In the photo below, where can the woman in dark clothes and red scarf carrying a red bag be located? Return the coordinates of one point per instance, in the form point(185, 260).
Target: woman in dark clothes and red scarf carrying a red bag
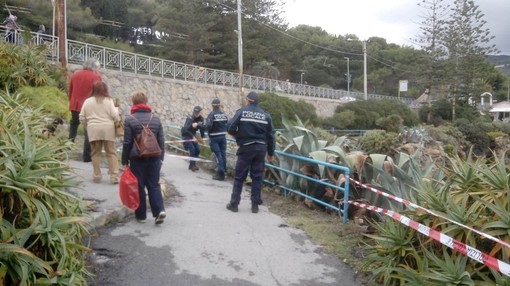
point(146, 169)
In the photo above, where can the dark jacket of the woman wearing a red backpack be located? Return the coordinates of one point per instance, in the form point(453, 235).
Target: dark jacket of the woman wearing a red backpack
point(132, 128)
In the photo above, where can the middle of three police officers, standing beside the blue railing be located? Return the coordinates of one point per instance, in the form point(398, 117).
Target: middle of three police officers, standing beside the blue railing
point(216, 126)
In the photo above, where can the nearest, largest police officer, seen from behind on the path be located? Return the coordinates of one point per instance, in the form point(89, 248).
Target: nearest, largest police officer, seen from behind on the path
point(252, 128)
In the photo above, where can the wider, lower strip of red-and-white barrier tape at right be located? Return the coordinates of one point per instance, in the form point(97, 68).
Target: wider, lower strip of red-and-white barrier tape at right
point(456, 245)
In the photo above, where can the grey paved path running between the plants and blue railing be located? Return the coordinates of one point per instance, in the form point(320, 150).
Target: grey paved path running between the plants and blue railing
point(202, 243)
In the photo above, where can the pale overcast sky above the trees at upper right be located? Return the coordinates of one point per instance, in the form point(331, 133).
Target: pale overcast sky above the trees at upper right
point(397, 21)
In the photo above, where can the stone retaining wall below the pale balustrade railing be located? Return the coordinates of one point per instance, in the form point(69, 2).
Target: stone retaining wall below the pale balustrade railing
point(173, 100)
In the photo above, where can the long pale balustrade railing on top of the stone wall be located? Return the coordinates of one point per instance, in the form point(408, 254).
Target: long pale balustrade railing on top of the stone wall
point(78, 52)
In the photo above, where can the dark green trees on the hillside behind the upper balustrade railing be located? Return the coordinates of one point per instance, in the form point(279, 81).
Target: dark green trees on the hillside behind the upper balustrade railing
point(204, 33)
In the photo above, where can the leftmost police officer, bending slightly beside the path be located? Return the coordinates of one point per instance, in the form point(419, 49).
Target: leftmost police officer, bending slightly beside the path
point(193, 123)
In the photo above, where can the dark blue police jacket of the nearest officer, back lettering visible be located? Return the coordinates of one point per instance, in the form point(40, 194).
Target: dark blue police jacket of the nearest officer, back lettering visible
point(252, 125)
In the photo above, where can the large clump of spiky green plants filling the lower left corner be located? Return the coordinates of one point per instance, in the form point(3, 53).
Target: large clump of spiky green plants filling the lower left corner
point(41, 225)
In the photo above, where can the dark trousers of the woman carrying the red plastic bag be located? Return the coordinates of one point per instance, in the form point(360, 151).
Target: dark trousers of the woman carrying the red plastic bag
point(147, 171)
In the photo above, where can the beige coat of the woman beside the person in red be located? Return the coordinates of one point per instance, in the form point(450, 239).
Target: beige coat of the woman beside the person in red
point(99, 118)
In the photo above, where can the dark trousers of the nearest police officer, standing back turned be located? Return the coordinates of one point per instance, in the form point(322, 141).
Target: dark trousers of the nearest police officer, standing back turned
point(254, 163)
